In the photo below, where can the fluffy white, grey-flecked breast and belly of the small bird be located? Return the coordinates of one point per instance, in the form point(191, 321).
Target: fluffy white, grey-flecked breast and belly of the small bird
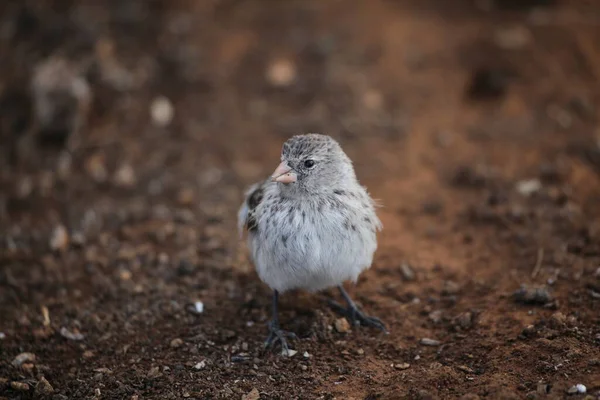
point(313, 244)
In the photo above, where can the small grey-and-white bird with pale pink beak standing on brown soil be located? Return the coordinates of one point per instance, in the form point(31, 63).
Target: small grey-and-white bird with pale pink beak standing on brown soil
point(311, 226)
